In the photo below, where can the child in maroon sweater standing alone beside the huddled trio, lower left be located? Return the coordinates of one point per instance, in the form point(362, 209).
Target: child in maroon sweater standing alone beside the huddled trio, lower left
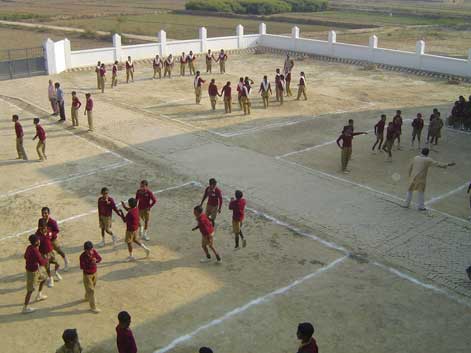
point(88, 261)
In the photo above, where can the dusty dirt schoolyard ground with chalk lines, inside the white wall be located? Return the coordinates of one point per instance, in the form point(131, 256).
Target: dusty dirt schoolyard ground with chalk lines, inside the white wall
point(324, 247)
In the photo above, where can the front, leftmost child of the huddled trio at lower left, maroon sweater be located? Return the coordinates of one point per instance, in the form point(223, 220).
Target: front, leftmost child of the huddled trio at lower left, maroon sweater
point(34, 272)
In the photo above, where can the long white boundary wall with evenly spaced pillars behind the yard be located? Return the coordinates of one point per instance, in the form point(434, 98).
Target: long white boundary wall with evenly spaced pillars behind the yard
point(60, 58)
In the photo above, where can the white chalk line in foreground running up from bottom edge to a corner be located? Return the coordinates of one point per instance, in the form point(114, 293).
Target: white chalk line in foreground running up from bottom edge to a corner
point(260, 300)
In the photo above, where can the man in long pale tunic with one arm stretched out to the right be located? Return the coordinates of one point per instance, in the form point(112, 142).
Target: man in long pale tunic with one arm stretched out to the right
point(418, 177)
